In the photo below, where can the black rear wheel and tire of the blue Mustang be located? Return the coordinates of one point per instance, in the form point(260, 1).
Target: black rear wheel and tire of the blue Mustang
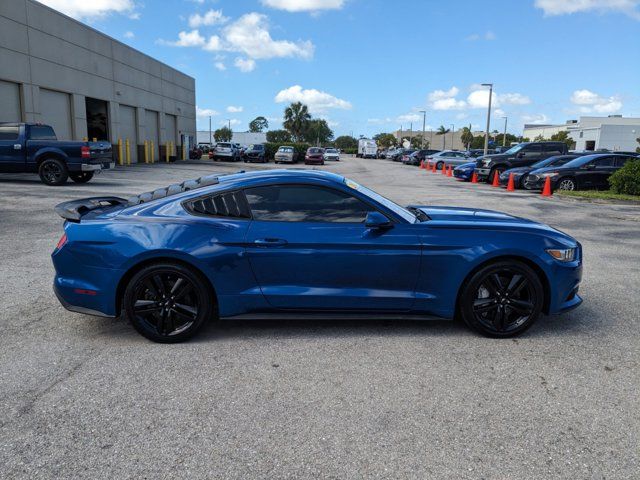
point(167, 302)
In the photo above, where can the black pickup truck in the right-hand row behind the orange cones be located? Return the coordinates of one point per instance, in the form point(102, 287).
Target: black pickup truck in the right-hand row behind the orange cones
point(521, 155)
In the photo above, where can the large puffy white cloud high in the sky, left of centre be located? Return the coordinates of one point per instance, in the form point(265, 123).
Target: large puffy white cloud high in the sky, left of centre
point(250, 35)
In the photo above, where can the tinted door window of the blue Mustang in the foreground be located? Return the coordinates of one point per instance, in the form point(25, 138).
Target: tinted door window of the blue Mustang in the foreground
point(304, 203)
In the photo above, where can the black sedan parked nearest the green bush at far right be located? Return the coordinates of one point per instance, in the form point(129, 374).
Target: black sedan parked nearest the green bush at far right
point(582, 173)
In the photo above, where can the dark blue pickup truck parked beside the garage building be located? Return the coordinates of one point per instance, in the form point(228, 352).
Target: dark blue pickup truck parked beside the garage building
point(34, 148)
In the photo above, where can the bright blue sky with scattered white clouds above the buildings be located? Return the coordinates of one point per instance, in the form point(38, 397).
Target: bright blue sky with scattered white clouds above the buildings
point(369, 66)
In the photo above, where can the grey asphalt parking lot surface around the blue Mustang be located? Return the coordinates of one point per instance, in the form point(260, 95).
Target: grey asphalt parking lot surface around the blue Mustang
point(87, 397)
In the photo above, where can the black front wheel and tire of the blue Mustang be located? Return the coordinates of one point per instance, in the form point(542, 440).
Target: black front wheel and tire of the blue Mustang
point(502, 299)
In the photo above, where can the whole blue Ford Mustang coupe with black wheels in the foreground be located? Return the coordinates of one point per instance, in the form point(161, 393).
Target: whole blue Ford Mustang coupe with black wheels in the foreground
point(286, 242)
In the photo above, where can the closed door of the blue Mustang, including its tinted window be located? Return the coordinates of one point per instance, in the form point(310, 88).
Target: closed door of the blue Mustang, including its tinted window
point(309, 249)
